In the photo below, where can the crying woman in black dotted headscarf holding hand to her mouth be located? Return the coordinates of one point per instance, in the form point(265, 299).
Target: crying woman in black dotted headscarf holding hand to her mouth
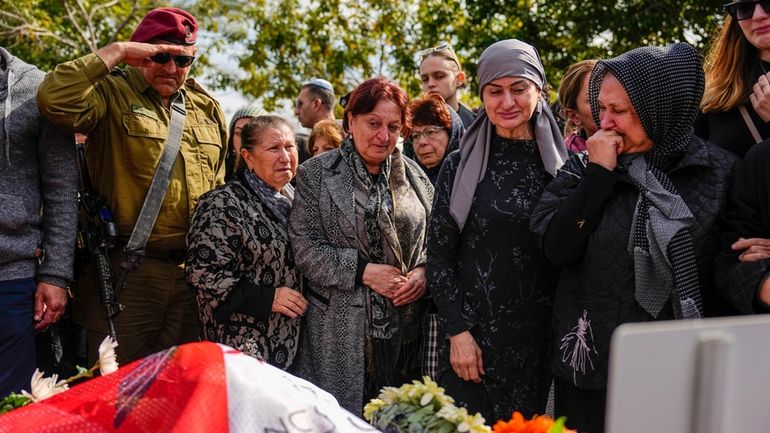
point(632, 222)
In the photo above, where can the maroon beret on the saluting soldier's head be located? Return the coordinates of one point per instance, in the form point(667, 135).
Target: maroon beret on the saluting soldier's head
point(169, 24)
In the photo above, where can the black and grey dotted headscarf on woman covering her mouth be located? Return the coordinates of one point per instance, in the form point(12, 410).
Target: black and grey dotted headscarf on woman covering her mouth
point(665, 86)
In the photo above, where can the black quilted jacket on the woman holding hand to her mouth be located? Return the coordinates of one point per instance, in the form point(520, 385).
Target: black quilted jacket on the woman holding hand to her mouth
point(584, 219)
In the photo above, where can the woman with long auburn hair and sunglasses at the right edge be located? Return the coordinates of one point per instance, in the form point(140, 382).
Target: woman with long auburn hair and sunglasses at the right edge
point(736, 103)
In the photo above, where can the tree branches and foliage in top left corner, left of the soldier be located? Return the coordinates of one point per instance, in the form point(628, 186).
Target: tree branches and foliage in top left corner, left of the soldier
point(47, 32)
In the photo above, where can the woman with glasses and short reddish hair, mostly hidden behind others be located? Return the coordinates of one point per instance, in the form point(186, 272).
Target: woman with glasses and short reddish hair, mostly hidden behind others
point(436, 132)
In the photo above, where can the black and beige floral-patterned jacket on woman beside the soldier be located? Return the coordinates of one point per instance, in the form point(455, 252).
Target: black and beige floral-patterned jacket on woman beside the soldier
point(236, 244)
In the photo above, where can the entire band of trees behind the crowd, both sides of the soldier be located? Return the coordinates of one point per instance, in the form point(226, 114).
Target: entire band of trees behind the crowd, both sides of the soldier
point(266, 48)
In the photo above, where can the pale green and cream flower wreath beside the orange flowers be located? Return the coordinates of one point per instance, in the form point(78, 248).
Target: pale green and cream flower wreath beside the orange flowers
point(420, 407)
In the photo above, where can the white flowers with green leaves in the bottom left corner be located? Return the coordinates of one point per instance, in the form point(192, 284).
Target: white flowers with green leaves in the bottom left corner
point(42, 387)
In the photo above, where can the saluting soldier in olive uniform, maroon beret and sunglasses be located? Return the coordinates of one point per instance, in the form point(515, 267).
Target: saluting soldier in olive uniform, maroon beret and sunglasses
point(127, 115)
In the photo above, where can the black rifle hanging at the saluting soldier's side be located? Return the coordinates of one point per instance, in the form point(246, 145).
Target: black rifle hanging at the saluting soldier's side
point(97, 235)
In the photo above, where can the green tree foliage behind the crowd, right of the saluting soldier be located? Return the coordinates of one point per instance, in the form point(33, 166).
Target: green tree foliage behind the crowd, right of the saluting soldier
point(281, 42)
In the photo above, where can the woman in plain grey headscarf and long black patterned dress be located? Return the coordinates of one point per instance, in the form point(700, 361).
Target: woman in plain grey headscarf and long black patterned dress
point(492, 287)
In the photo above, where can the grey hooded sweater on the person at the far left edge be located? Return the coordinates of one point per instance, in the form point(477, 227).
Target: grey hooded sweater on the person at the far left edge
point(38, 184)
